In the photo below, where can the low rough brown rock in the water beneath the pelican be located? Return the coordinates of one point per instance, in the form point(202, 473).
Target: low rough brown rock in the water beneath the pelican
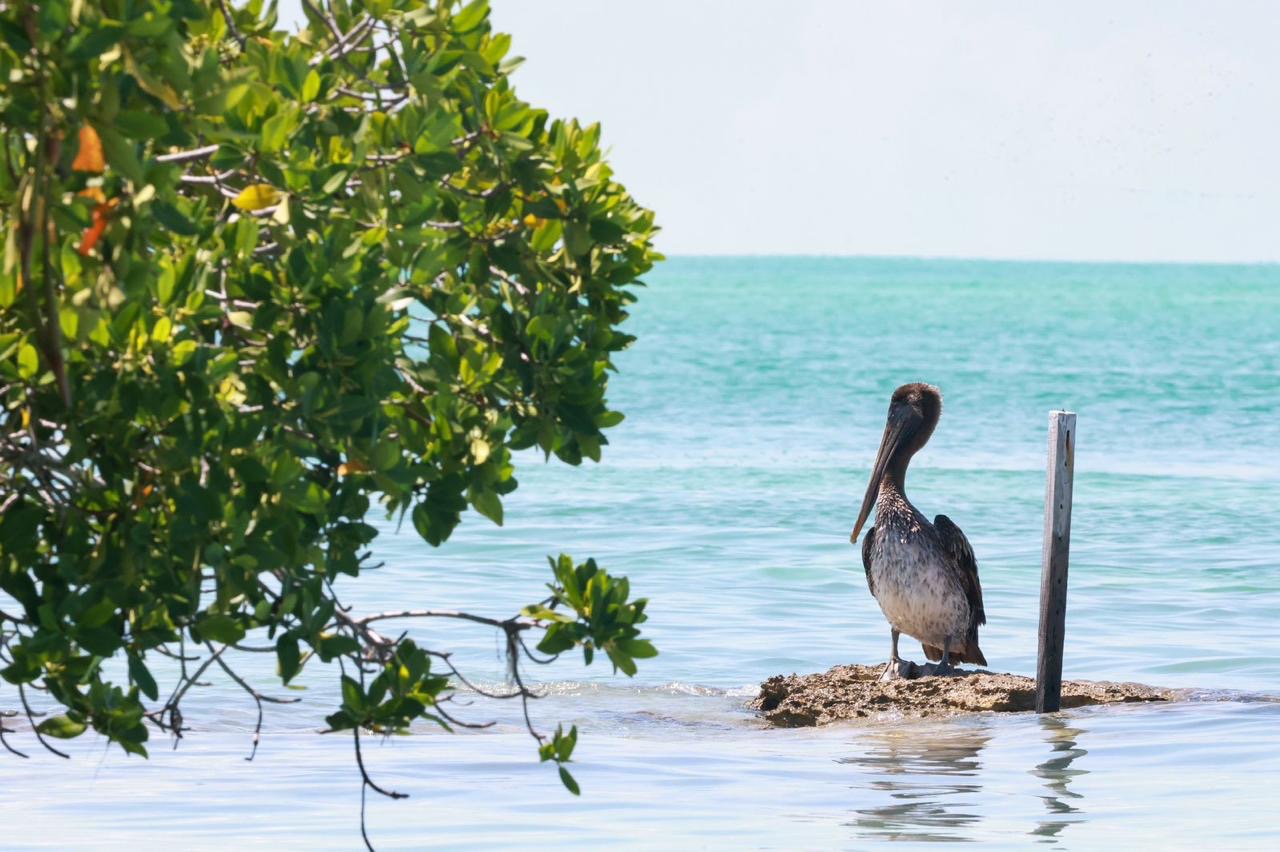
point(857, 693)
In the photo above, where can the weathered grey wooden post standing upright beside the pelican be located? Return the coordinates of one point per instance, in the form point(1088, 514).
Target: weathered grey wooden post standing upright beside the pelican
point(1058, 540)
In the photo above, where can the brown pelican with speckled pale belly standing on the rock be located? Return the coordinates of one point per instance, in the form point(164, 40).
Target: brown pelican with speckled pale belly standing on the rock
point(924, 575)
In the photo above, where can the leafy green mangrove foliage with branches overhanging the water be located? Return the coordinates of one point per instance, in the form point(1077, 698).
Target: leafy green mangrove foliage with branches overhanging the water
point(257, 286)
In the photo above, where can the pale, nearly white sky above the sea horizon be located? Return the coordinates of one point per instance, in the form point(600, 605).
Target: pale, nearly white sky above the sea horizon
point(1082, 131)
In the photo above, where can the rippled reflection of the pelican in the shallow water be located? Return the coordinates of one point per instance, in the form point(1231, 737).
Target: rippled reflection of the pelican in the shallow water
point(931, 777)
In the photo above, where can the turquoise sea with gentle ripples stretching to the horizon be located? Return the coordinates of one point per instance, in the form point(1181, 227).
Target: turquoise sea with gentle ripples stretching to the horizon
point(756, 398)
